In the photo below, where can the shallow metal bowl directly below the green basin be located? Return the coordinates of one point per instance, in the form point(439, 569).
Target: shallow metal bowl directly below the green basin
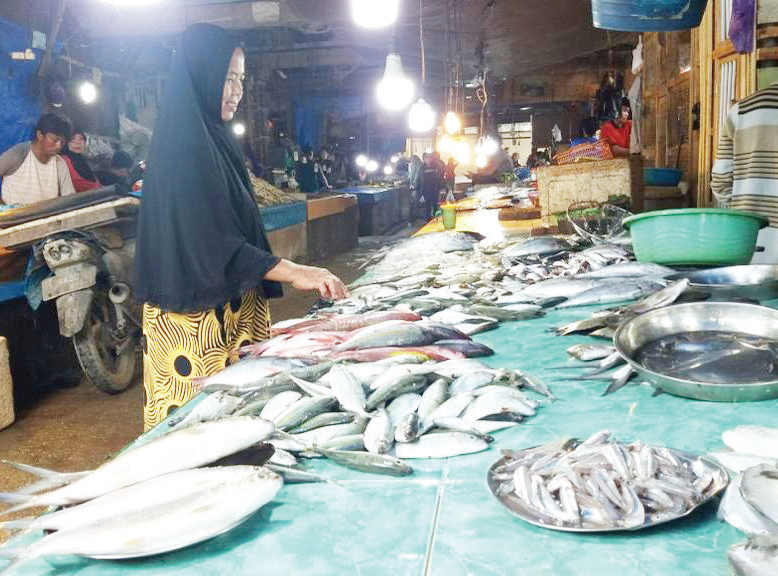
point(756, 281)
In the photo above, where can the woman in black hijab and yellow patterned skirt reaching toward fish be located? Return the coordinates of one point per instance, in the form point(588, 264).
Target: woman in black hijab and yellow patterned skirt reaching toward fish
point(204, 268)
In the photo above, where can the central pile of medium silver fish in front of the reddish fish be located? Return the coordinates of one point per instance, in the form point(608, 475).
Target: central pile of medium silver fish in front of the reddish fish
point(369, 415)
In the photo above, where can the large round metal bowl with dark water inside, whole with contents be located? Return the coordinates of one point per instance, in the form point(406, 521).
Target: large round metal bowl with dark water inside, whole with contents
point(715, 351)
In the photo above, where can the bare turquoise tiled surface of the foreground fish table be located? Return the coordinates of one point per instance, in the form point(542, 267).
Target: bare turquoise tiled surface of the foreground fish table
point(443, 521)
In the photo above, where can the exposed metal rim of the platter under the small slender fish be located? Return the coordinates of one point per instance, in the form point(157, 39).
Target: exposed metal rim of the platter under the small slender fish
point(527, 512)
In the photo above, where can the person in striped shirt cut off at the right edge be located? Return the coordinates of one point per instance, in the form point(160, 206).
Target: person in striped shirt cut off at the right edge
point(745, 174)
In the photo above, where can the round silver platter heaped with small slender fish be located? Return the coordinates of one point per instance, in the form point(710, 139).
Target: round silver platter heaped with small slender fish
point(602, 486)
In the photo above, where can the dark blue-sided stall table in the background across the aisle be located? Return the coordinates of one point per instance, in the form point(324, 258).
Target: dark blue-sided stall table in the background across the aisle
point(381, 209)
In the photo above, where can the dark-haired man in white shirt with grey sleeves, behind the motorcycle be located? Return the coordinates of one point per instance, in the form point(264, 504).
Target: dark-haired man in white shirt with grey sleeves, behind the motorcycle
point(34, 171)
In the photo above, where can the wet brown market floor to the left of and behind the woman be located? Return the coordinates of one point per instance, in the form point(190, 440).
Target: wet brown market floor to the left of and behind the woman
point(77, 428)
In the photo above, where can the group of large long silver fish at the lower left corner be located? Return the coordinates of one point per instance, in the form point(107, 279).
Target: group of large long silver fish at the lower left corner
point(136, 504)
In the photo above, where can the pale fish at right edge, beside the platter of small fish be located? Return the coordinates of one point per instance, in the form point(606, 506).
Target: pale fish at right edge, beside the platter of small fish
point(751, 501)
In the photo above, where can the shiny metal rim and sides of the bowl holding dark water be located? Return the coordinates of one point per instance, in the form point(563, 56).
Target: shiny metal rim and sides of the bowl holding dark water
point(739, 318)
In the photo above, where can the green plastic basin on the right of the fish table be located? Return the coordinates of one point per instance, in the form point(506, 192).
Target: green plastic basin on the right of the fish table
point(695, 236)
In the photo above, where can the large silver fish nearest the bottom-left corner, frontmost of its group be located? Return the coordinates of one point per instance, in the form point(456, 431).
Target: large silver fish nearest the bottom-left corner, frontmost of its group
point(139, 529)
